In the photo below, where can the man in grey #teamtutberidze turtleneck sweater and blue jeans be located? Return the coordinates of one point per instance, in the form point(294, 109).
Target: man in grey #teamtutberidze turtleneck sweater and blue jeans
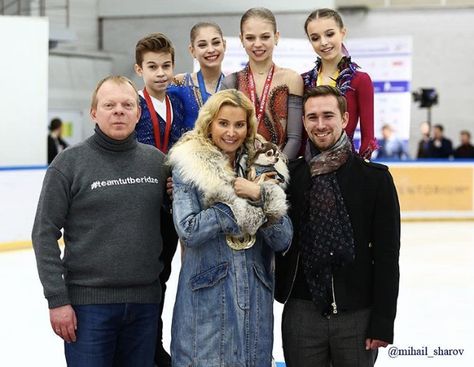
point(105, 194)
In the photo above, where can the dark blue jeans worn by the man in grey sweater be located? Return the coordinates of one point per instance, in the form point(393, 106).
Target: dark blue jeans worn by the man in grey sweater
point(118, 335)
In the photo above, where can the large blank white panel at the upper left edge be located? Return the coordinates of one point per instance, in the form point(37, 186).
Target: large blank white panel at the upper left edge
point(23, 90)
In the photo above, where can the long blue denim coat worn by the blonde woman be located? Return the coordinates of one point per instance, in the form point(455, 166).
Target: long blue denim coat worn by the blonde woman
point(223, 314)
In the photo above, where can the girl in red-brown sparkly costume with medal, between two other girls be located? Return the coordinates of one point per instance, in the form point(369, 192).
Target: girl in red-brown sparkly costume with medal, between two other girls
point(275, 91)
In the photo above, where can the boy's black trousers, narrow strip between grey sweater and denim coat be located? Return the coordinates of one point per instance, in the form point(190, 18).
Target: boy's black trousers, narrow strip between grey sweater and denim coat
point(170, 242)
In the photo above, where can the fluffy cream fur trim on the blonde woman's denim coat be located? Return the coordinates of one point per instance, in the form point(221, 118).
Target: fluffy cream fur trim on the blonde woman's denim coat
point(201, 164)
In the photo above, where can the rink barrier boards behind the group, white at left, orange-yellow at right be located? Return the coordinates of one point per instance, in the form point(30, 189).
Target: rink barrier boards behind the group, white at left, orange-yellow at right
point(428, 191)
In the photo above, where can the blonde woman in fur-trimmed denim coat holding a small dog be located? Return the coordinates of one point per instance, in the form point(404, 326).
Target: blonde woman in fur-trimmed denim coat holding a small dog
point(230, 228)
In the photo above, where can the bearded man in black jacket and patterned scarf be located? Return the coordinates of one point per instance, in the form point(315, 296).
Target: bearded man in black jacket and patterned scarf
point(339, 280)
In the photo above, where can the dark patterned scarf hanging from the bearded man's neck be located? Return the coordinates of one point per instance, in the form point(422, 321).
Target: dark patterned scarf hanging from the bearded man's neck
point(327, 238)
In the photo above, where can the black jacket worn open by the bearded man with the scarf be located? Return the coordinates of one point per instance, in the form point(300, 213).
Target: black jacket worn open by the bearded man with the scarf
point(372, 279)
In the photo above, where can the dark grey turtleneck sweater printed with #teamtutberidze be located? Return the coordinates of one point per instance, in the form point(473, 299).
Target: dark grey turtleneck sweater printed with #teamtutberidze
point(106, 195)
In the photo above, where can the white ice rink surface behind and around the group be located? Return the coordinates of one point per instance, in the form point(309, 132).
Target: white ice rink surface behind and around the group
point(435, 308)
